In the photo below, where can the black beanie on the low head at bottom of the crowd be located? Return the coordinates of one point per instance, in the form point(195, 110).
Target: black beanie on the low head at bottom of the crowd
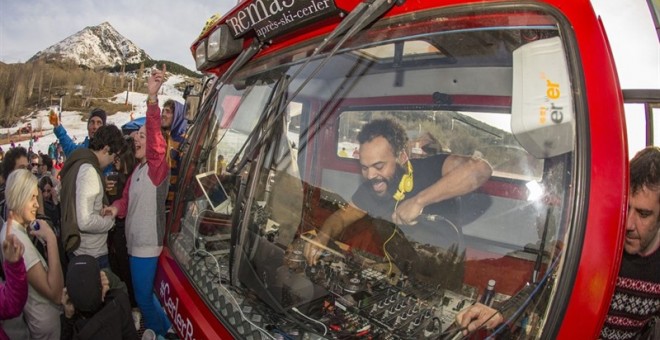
point(83, 283)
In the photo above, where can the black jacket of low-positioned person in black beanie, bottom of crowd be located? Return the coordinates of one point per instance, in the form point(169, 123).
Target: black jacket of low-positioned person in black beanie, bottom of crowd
point(113, 321)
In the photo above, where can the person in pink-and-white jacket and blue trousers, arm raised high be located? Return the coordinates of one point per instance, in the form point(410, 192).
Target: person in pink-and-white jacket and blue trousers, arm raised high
point(143, 205)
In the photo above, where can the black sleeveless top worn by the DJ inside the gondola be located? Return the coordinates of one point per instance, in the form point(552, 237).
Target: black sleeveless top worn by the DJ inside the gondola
point(426, 172)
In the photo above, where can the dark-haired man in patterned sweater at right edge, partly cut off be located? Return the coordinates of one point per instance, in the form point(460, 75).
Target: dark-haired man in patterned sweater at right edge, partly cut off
point(637, 295)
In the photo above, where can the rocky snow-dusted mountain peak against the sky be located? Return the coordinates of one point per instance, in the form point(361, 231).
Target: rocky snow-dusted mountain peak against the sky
point(95, 47)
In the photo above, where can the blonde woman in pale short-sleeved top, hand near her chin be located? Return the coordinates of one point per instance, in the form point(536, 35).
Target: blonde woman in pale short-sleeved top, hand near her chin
point(45, 279)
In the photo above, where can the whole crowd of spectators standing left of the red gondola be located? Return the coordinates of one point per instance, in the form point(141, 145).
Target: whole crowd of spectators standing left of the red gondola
point(79, 260)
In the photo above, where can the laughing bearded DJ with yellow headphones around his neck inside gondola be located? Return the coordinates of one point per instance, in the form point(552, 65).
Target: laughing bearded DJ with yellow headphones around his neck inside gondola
point(398, 189)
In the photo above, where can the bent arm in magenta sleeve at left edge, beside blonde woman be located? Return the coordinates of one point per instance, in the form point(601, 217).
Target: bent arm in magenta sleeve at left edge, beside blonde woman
point(13, 294)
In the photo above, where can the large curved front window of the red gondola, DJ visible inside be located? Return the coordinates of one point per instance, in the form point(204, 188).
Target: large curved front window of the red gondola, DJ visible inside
point(296, 208)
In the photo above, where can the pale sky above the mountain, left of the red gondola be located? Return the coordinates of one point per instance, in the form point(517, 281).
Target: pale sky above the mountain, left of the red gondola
point(165, 29)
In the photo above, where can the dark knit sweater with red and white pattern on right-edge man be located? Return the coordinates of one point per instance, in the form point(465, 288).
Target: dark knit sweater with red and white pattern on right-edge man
point(636, 297)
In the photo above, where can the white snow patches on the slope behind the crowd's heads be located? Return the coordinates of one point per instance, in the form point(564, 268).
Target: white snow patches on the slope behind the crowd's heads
point(71, 120)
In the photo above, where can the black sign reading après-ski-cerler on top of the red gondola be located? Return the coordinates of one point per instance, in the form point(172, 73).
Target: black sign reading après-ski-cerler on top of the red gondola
point(270, 18)
